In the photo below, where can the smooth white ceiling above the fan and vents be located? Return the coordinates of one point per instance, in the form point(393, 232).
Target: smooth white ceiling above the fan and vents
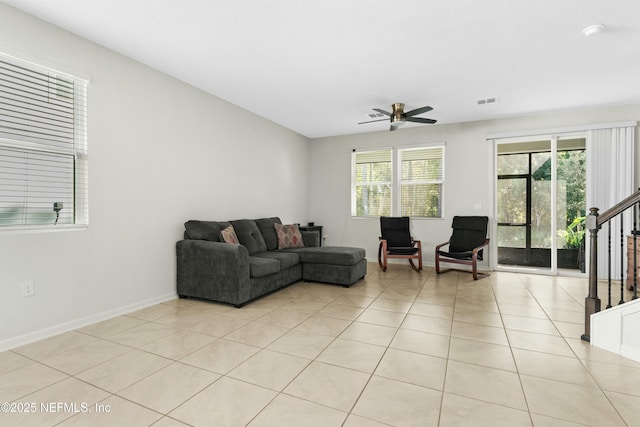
point(318, 67)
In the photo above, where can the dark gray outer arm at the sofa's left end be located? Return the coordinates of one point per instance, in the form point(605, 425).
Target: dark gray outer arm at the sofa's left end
point(213, 270)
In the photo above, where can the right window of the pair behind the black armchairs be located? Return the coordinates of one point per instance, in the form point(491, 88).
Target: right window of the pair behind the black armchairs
point(421, 182)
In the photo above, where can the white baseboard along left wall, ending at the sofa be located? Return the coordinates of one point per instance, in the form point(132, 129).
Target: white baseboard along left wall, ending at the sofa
point(41, 334)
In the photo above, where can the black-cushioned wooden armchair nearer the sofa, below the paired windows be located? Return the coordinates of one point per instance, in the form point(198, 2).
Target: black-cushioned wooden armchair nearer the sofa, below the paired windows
point(396, 242)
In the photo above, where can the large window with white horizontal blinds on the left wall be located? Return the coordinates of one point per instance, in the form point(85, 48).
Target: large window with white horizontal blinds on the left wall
point(43, 146)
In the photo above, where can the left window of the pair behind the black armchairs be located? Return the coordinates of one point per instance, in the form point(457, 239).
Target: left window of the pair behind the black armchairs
point(372, 183)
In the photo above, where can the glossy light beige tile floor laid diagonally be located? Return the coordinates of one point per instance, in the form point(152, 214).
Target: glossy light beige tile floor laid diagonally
point(398, 348)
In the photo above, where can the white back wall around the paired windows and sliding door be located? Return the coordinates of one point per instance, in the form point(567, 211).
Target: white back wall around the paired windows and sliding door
point(468, 173)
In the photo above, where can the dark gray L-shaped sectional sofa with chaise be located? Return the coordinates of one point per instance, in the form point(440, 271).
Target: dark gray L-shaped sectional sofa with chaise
point(211, 269)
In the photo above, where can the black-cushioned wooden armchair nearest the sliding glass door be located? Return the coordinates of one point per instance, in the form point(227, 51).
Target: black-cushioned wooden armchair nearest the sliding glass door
point(465, 244)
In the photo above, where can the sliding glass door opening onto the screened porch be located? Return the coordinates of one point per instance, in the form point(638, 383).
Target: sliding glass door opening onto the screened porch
point(540, 203)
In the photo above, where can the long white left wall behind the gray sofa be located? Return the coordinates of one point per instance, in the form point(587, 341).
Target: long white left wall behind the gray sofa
point(160, 152)
